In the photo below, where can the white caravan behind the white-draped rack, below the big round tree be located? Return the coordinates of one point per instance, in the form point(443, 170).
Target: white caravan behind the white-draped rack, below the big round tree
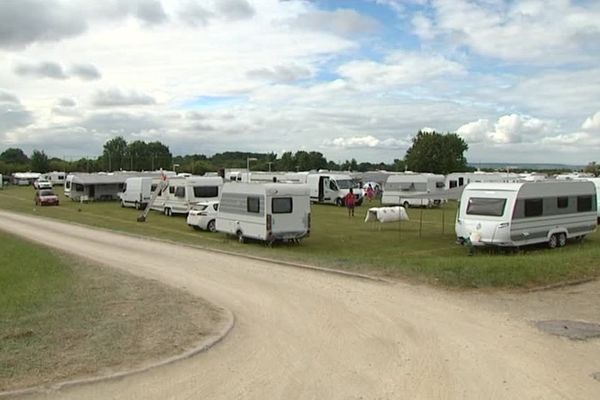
point(414, 190)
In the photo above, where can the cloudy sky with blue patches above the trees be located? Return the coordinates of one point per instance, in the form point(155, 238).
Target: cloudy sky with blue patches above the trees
point(518, 80)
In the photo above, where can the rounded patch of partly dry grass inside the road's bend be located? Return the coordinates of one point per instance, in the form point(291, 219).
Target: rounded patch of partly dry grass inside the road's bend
point(61, 318)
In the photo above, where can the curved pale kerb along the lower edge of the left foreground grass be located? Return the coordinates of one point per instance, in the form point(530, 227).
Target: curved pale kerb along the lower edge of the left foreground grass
point(204, 345)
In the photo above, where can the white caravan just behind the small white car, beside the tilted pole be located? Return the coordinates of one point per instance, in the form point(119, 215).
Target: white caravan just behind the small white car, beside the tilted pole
point(183, 193)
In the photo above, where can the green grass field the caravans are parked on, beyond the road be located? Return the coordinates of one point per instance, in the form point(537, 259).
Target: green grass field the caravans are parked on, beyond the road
point(422, 249)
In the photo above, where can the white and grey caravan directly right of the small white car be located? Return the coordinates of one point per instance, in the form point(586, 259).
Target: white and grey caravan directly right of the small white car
point(264, 211)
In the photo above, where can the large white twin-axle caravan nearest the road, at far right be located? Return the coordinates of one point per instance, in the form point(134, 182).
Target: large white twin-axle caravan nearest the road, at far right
point(518, 214)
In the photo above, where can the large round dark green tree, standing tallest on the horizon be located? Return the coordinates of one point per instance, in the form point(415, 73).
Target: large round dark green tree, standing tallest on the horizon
point(436, 153)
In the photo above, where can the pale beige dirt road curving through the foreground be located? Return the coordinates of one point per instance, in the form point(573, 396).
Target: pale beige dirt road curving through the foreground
point(302, 334)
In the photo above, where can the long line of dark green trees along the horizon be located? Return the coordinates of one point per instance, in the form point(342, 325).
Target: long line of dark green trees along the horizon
point(430, 152)
